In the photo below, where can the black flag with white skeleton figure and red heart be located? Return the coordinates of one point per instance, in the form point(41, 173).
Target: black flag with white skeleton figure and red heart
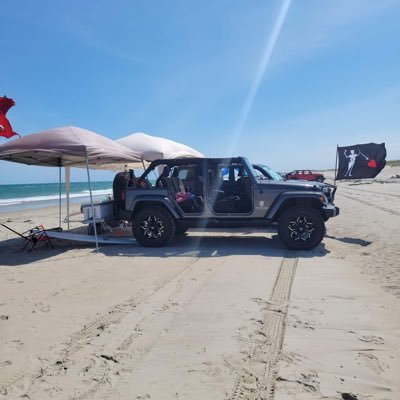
point(361, 161)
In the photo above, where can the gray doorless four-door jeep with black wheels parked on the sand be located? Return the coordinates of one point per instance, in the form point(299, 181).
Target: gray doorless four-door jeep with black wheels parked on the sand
point(172, 196)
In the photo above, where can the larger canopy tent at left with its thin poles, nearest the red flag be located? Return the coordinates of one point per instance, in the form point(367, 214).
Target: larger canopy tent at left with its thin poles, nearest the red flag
point(68, 146)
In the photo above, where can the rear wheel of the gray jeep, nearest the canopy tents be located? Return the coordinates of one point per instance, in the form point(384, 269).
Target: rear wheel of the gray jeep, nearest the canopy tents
point(153, 226)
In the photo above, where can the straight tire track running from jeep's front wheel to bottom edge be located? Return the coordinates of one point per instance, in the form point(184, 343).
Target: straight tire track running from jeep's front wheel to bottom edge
point(256, 379)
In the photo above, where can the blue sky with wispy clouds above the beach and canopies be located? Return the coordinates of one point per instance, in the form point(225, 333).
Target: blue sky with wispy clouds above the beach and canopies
point(281, 82)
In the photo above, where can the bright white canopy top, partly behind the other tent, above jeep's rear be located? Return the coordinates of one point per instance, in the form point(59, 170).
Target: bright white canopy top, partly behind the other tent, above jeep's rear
point(151, 148)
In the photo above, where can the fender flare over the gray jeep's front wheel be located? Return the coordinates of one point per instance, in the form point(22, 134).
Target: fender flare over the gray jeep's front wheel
point(288, 199)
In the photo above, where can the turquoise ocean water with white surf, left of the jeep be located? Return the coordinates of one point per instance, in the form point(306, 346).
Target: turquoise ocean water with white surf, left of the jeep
point(36, 195)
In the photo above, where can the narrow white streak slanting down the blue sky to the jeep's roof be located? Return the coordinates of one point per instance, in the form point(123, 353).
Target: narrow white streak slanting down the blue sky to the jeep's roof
point(269, 48)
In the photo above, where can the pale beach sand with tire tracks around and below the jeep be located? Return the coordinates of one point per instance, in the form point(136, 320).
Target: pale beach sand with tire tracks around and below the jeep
point(215, 315)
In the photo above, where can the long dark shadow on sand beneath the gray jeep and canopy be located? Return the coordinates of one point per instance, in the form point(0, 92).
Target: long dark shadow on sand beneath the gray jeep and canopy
point(193, 245)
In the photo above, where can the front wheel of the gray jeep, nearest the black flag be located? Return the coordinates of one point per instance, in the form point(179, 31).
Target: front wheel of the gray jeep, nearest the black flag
point(301, 228)
